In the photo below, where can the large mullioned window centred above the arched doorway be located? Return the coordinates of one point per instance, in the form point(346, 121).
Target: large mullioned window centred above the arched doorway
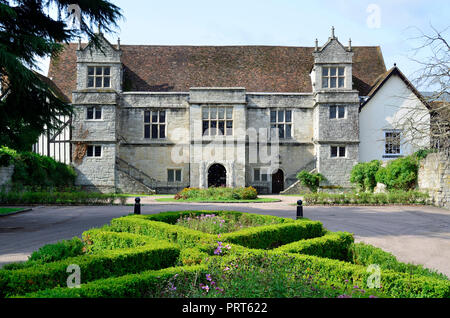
point(209, 132)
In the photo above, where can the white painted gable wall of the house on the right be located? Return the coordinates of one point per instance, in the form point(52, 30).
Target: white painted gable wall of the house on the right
point(394, 106)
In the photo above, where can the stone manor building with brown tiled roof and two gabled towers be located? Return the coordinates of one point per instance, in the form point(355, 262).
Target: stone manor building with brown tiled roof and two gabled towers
point(167, 117)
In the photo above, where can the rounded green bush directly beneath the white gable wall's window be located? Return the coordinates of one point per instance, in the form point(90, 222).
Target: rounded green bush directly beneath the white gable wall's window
point(399, 174)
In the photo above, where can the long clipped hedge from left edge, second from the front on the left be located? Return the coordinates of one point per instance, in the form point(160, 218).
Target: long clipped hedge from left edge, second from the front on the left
point(111, 263)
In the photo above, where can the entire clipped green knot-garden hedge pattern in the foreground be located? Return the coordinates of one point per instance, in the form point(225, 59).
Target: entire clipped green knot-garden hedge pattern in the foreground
point(151, 256)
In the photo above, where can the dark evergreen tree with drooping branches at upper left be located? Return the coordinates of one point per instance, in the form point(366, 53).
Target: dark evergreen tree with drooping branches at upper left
point(28, 32)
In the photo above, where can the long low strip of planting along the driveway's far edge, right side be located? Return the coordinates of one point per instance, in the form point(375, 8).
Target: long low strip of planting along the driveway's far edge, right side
point(394, 197)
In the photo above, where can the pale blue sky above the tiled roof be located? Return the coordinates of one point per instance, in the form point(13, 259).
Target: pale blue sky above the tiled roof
point(391, 24)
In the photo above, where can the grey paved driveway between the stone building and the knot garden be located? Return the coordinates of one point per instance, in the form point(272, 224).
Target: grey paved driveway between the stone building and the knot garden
point(420, 235)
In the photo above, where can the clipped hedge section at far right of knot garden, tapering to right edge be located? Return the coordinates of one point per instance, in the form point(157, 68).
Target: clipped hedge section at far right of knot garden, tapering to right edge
point(364, 254)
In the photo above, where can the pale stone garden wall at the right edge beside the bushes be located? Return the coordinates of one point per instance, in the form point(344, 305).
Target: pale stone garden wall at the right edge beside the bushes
point(434, 177)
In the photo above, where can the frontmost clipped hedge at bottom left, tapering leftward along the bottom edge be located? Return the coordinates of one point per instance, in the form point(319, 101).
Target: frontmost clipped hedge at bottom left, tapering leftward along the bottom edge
point(145, 284)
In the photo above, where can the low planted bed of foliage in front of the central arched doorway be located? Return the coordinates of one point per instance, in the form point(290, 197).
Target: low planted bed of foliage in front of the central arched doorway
point(217, 194)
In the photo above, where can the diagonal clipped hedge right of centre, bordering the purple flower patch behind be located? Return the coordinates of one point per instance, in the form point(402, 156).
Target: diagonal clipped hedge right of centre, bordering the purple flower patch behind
point(272, 236)
